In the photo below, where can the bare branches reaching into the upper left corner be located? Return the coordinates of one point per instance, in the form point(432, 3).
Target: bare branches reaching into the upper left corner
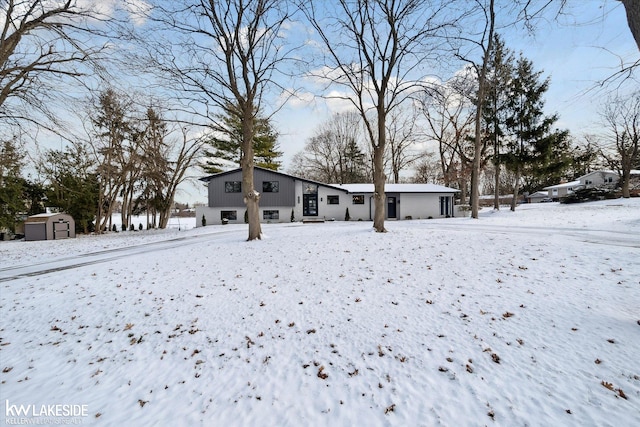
point(43, 44)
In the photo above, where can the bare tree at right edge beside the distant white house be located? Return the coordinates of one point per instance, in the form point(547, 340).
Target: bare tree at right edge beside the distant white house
point(622, 120)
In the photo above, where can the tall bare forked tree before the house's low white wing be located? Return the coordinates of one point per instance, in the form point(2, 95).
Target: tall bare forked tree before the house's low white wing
point(374, 49)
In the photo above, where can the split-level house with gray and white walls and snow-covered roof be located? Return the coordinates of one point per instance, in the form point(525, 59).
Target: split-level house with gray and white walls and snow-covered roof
point(282, 194)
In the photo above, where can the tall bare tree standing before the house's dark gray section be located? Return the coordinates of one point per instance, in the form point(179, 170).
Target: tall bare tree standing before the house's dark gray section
point(223, 56)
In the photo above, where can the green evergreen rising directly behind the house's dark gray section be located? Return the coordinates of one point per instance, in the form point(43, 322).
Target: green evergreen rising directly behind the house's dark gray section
point(224, 146)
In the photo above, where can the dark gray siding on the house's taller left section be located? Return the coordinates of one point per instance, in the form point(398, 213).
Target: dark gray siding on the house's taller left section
point(284, 197)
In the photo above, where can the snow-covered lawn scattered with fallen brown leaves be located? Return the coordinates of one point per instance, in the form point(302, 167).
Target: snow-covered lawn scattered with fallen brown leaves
point(526, 318)
